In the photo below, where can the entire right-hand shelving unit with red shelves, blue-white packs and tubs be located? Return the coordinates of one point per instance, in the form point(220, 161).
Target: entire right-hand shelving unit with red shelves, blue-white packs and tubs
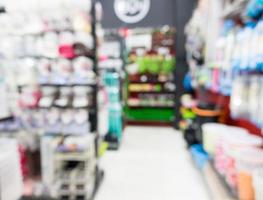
point(224, 72)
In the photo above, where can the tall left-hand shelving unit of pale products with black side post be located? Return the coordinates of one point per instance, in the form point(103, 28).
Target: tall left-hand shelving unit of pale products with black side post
point(54, 151)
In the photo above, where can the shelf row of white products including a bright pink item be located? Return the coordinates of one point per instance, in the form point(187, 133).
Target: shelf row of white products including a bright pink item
point(51, 45)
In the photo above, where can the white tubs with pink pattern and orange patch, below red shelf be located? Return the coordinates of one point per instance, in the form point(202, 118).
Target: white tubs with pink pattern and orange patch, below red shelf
point(237, 156)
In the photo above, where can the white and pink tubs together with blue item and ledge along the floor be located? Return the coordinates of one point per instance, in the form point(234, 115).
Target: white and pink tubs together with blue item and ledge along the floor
point(232, 156)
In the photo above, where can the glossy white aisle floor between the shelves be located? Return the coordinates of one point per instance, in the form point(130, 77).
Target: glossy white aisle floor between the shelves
point(152, 164)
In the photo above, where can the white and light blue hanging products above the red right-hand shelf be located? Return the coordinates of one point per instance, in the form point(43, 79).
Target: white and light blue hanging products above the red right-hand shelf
point(237, 50)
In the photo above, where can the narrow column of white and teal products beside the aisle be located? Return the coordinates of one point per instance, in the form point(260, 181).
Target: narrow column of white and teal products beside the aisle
point(111, 69)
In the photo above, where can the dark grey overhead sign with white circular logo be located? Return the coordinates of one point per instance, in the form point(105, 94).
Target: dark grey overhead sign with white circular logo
point(161, 12)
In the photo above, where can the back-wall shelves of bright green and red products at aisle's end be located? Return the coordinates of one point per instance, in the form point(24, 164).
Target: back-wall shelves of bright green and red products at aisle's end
point(150, 79)
